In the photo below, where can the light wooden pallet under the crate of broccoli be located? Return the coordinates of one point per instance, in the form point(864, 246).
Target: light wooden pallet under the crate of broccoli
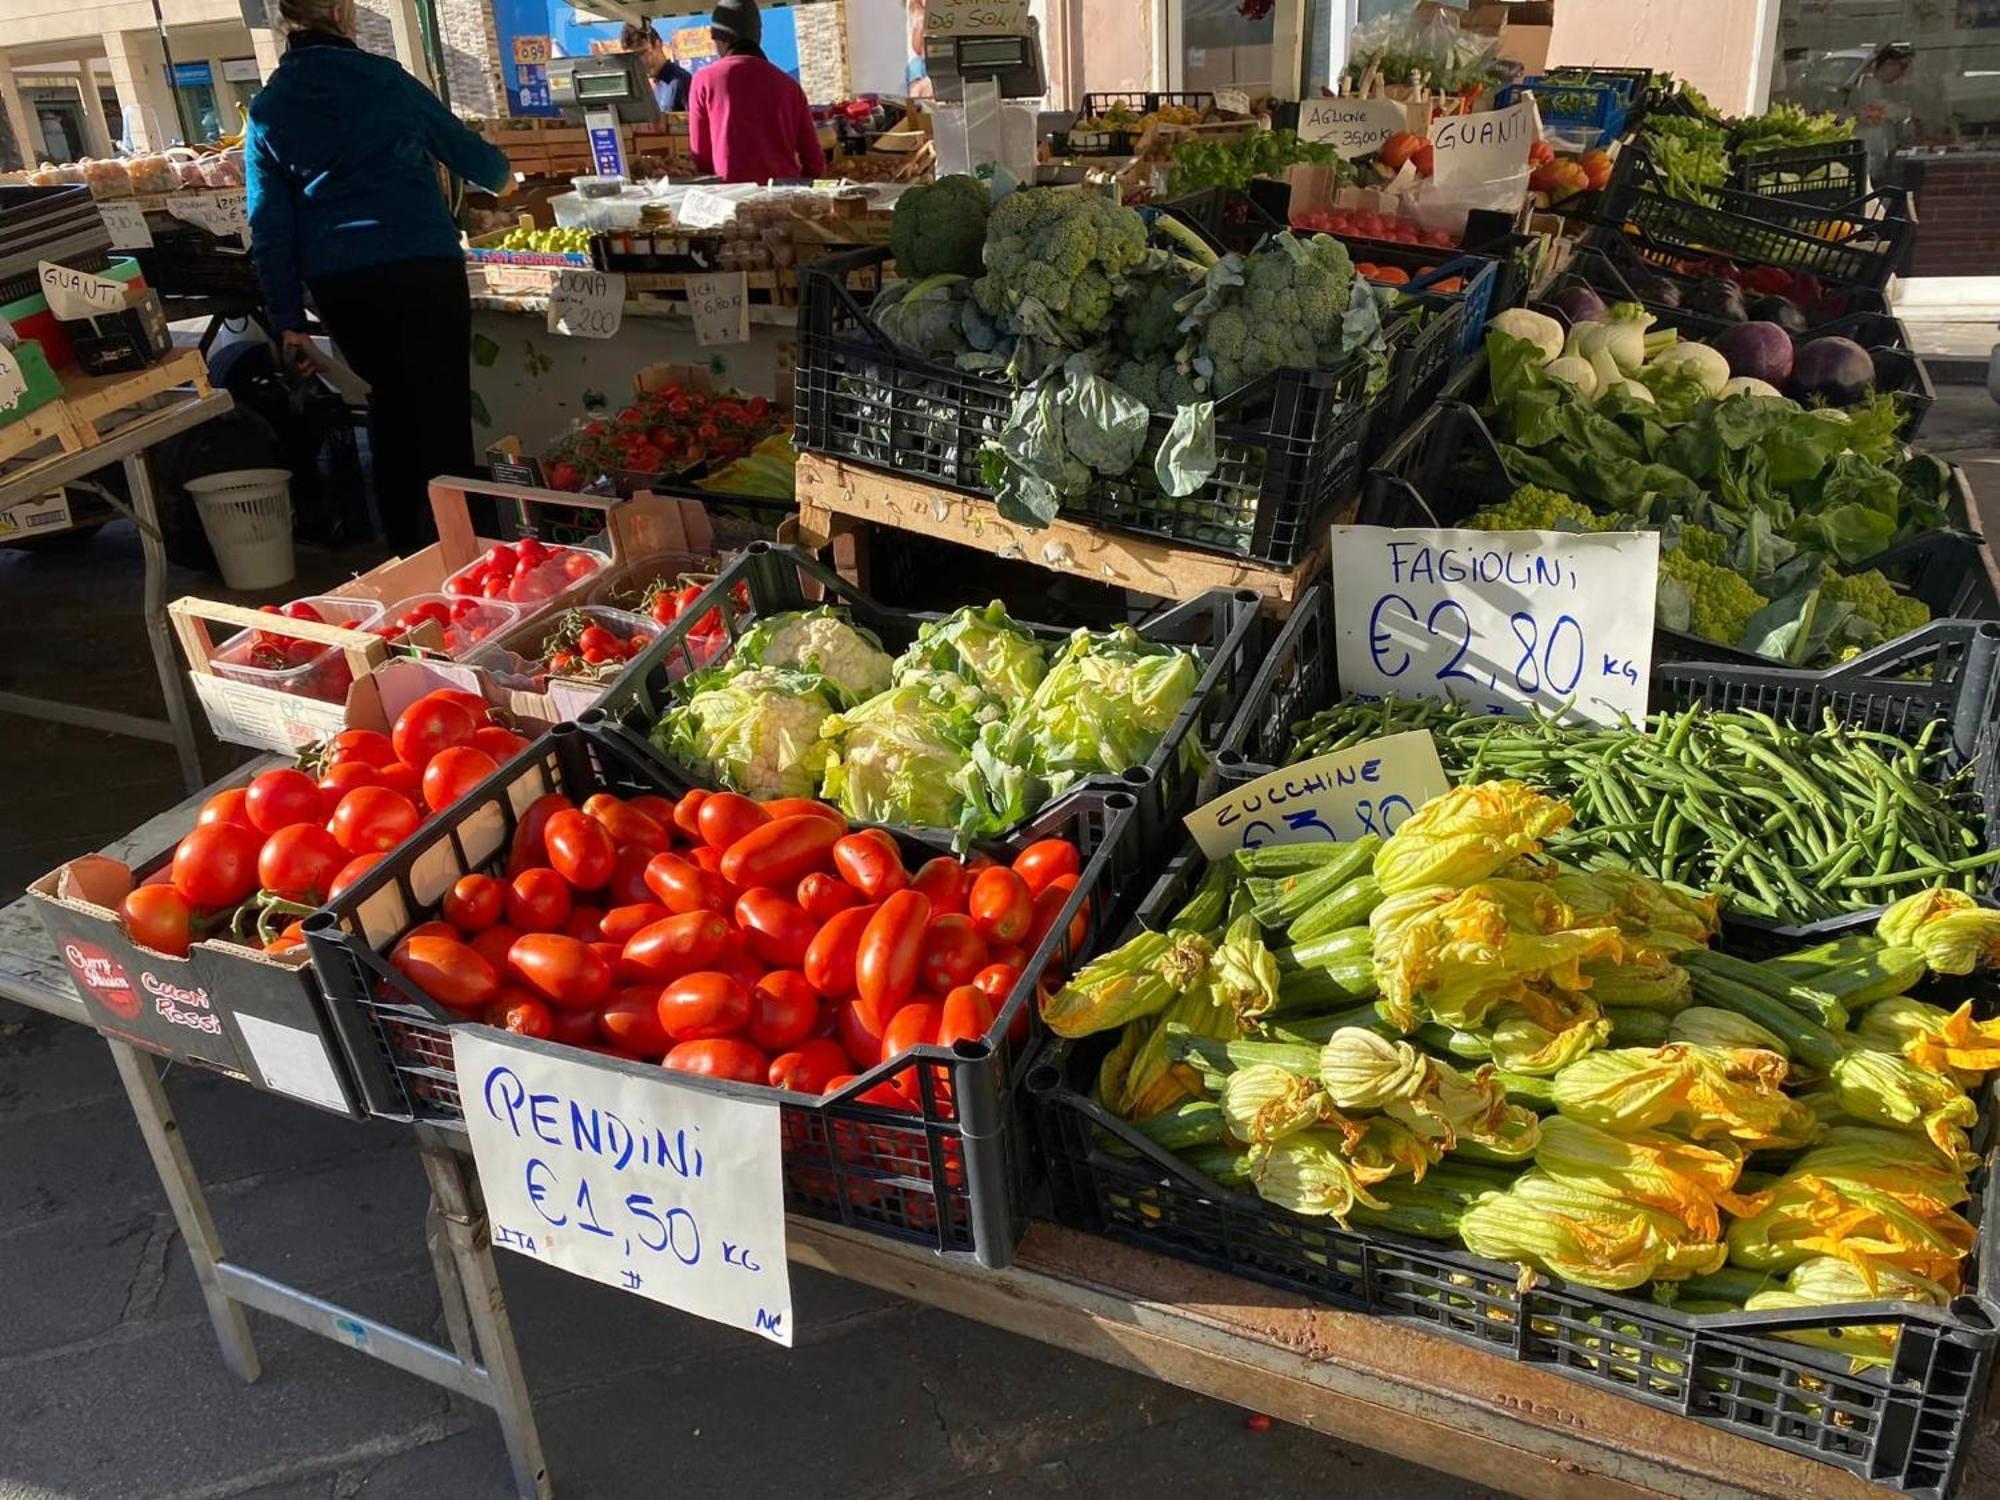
point(837, 501)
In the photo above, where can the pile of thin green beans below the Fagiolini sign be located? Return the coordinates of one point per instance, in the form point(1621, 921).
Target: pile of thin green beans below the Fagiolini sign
point(1785, 825)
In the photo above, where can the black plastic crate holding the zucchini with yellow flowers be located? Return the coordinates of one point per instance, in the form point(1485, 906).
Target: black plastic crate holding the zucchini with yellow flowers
point(1909, 1429)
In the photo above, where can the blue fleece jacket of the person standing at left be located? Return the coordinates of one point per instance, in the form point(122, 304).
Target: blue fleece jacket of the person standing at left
point(339, 165)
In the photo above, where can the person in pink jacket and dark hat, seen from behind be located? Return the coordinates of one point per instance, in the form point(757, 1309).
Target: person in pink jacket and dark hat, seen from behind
point(747, 119)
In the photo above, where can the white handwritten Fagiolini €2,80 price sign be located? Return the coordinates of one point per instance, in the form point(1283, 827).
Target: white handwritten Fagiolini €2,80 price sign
point(1499, 621)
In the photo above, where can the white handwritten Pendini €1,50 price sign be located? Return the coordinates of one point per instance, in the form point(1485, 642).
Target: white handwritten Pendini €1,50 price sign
point(621, 1175)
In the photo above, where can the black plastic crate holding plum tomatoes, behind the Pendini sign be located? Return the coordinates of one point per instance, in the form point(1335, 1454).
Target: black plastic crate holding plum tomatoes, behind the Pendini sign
point(955, 1177)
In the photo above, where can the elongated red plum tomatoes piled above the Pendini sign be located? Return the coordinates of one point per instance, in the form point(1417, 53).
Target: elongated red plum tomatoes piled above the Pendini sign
point(723, 937)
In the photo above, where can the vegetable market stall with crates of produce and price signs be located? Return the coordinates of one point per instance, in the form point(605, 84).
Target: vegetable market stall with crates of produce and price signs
point(1479, 937)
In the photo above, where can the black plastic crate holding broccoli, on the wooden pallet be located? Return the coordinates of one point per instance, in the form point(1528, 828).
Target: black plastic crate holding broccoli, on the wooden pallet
point(1289, 445)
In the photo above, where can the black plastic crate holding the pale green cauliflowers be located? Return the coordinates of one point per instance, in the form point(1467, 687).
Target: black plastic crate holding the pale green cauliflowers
point(1223, 625)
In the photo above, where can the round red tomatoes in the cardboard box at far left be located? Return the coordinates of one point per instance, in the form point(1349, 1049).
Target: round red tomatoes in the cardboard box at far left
point(287, 843)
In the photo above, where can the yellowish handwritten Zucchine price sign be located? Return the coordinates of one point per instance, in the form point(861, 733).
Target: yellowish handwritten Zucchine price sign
point(1367, 789)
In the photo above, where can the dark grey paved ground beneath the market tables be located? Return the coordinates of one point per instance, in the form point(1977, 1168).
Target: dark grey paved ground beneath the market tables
point(109, 1375)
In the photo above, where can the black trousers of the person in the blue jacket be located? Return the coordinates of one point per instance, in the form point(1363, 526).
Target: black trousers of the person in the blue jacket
point(407, 329)
